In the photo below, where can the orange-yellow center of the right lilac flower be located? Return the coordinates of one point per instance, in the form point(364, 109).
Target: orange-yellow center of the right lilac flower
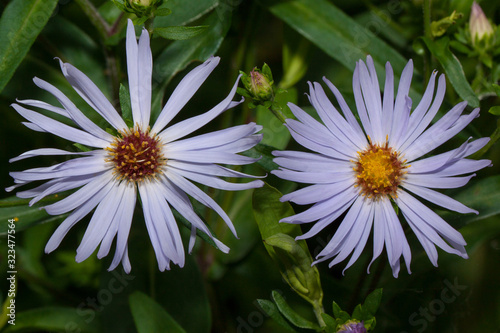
point(379, 170)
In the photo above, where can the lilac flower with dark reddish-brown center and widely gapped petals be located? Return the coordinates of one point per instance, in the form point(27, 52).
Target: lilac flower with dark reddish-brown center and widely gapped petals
point(157, 164)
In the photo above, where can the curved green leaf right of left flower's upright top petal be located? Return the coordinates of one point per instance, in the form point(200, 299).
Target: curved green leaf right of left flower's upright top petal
point(180, 53)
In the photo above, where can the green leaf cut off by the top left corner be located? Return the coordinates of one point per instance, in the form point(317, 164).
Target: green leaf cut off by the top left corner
point(20, 24)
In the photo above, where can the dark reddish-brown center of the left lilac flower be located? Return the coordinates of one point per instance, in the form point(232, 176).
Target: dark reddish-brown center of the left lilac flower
point(136, 155)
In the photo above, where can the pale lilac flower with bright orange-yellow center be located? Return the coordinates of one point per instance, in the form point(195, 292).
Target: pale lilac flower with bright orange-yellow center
point(366, 170)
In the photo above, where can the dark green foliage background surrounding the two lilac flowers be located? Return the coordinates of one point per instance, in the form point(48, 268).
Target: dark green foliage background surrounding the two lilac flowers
point(301, 40)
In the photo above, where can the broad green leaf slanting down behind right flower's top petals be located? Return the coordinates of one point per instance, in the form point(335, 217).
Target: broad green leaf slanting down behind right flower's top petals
point(334, 32)
